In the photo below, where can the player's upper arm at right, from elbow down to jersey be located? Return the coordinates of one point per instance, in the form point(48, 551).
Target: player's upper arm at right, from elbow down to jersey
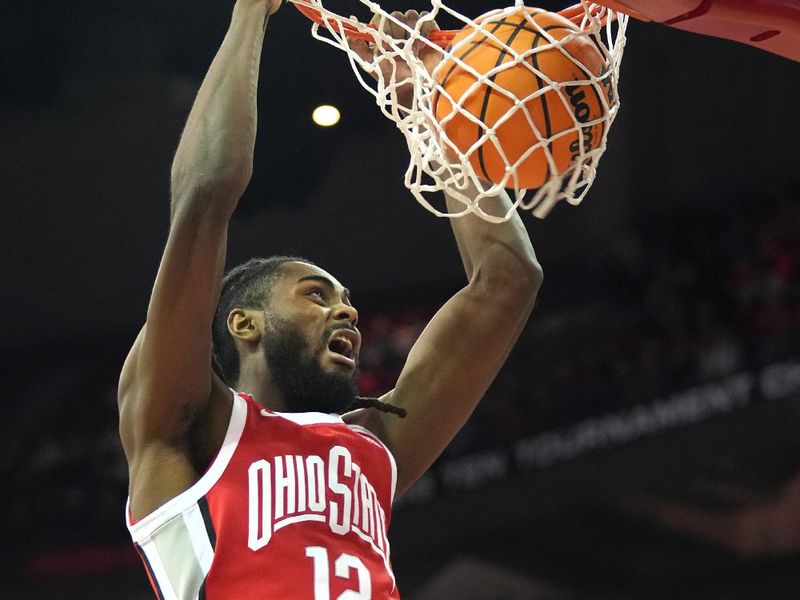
point(449, 369)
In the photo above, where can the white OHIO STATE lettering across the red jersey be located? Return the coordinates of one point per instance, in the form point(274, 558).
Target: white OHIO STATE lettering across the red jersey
point(291, 489)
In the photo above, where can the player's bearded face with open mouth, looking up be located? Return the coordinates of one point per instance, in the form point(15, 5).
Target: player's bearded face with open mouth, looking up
point(311, 341)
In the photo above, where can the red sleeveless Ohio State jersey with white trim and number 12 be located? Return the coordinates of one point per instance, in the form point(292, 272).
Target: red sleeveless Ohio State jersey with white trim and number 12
point(295, 505)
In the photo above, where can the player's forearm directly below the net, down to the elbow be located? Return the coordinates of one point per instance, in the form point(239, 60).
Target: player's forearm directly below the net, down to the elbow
point(500, 250)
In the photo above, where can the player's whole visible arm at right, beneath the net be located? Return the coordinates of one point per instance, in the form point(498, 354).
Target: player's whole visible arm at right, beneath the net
point(464, 346)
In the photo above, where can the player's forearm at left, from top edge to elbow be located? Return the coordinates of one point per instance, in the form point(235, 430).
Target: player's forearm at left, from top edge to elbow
point(214, 160)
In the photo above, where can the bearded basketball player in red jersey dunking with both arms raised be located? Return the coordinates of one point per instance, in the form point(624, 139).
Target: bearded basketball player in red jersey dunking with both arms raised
point(267, 492)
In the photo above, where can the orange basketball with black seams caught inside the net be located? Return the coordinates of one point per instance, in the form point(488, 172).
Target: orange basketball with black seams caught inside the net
point(551, 113)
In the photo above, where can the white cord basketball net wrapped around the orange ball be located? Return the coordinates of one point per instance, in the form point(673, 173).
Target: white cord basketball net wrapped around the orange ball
point(436, 164)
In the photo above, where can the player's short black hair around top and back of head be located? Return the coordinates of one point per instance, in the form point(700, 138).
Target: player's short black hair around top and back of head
point(249, 286)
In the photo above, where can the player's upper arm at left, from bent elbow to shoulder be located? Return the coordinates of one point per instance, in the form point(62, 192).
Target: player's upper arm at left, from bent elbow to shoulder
point(168, 374)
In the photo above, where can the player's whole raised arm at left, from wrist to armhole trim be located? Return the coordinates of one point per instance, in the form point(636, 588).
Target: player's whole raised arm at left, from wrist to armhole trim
point(167, 379)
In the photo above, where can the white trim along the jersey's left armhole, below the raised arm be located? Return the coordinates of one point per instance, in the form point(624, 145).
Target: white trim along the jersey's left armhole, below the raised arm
point(144, 528)
